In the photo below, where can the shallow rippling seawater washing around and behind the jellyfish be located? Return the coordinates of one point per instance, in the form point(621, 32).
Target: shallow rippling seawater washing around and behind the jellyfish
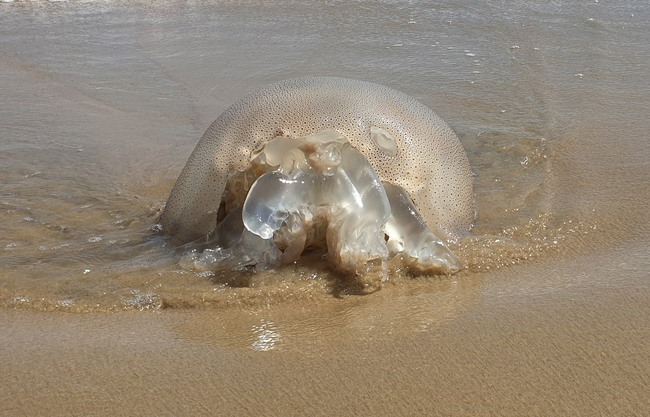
point(102, 103)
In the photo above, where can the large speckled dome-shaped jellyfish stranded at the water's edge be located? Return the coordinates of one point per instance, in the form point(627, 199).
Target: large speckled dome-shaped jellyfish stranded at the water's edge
point(367, 173)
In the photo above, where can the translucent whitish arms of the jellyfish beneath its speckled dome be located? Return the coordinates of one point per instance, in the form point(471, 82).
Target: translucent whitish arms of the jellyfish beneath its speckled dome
point(314, 183)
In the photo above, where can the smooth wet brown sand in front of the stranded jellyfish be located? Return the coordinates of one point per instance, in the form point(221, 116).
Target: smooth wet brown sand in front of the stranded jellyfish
point(567, 339)
